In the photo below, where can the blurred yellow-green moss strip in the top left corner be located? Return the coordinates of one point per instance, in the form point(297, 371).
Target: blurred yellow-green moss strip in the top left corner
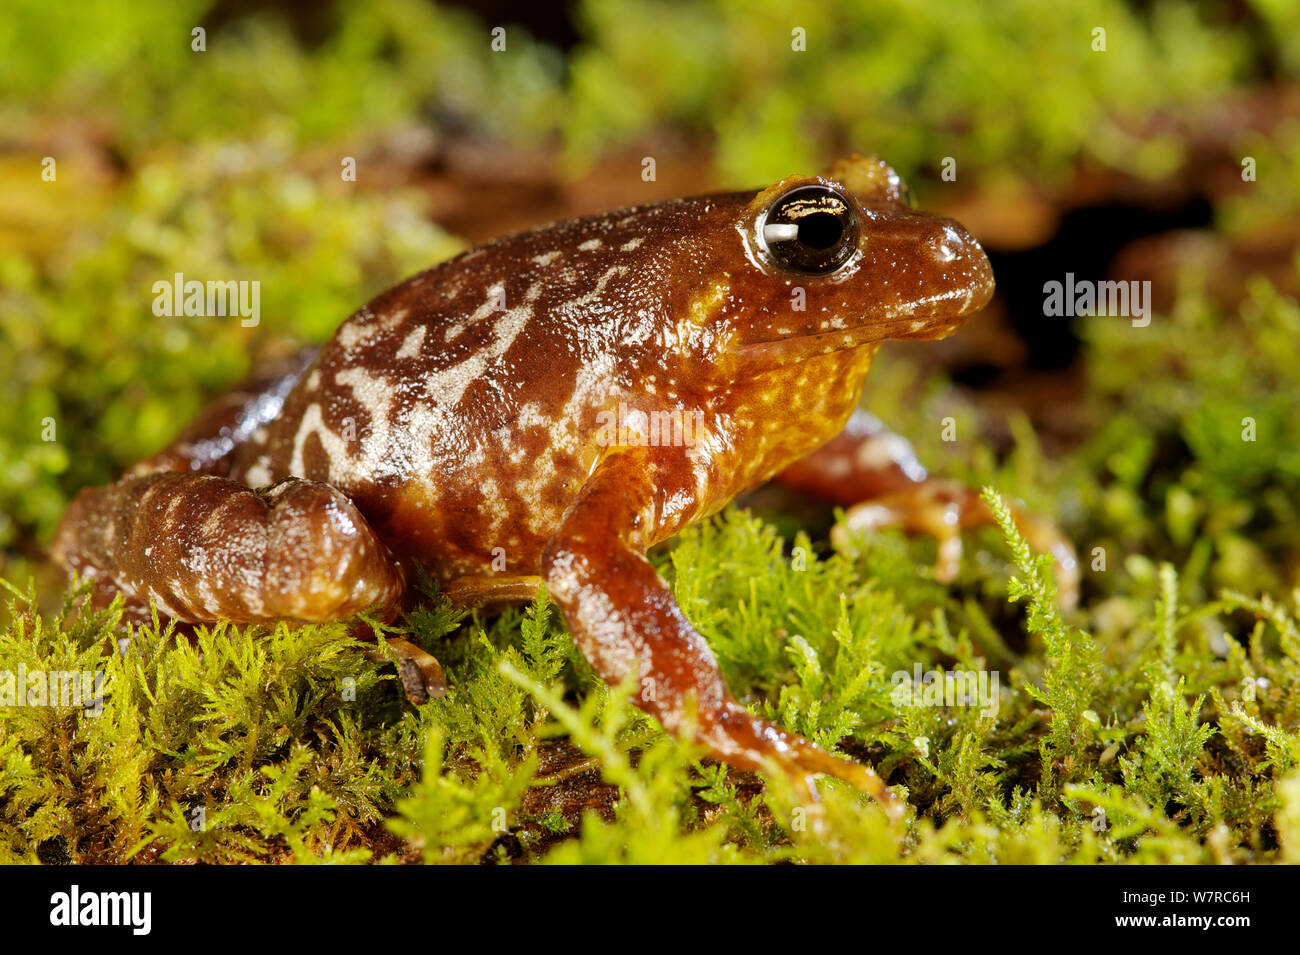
point(136, 71)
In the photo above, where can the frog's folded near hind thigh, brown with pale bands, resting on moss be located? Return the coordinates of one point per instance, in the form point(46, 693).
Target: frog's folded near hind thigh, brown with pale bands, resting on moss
point(206, 549)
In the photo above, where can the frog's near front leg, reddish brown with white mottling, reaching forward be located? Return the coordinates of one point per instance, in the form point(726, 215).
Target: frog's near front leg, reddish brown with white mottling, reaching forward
point(627, 622)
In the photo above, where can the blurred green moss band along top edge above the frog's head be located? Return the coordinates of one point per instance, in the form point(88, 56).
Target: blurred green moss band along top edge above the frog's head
point(915, 81)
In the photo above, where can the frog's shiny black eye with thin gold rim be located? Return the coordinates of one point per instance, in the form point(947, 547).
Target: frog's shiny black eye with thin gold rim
point(811, 229)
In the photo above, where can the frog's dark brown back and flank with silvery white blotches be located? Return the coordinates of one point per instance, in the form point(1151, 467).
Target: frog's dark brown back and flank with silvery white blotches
point(457, 410)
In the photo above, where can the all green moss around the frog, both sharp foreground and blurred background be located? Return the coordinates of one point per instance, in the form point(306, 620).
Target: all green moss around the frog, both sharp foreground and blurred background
point(1159, 723)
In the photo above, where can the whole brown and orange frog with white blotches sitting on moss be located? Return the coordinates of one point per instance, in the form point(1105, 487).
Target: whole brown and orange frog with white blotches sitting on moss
point(458, 429)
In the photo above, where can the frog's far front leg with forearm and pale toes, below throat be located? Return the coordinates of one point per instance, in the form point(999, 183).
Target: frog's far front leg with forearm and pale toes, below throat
point(876, 475)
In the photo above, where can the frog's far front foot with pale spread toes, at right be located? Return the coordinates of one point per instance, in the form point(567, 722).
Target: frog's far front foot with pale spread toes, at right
point(943, 510)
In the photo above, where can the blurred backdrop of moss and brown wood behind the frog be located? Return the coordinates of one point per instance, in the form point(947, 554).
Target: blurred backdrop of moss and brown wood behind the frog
point(1124, 162)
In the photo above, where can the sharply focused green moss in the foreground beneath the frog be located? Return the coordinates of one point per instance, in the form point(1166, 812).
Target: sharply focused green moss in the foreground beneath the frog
point(296, 745)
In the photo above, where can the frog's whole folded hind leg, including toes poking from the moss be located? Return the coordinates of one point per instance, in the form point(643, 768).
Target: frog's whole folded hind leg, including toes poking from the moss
point(201, 548)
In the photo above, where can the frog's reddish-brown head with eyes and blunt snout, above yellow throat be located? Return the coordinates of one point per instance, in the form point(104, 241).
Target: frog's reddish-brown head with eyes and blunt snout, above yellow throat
point(843, 261)
